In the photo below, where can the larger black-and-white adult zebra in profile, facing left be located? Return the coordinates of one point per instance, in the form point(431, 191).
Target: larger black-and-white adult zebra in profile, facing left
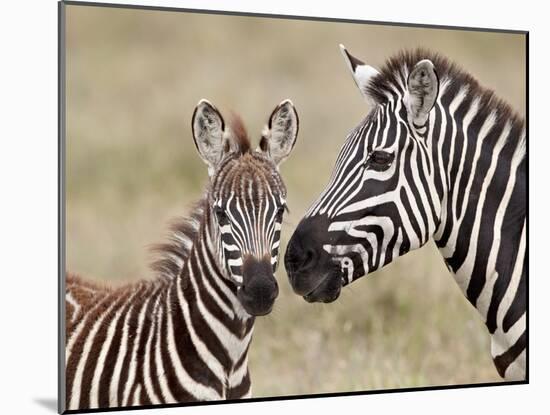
point(438, 156)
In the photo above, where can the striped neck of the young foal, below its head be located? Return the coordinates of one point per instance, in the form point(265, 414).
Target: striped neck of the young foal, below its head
point(211, 317)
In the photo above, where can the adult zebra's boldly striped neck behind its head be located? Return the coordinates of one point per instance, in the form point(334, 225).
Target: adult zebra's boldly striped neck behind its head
point(478, 146)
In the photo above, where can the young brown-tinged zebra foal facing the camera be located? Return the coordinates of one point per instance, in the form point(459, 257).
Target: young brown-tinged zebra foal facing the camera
point(184, 336)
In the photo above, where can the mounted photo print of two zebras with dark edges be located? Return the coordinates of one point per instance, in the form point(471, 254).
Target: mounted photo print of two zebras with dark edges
point(260, 206)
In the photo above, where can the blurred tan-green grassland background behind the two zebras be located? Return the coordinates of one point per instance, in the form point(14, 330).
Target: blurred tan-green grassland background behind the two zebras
point(133, 80)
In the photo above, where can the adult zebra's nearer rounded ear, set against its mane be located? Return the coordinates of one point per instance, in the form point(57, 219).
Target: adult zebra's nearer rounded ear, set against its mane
point(422, 91)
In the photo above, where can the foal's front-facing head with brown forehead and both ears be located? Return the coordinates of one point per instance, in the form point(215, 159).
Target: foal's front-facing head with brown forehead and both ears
point(246, 198)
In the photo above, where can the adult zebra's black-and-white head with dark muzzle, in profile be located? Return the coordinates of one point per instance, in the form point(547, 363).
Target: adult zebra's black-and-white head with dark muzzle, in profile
point(377, 205)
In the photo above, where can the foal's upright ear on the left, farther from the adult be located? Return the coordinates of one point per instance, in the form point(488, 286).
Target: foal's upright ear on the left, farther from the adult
point(208, 133)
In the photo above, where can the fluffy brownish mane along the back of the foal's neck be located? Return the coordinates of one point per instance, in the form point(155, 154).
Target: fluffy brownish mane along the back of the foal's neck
point(173, 253)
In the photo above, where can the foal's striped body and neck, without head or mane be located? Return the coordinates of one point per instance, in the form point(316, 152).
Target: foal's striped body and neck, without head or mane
point(166, 341)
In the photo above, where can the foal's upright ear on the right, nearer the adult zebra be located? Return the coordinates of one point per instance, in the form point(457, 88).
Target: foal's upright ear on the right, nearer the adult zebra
point(279, 135)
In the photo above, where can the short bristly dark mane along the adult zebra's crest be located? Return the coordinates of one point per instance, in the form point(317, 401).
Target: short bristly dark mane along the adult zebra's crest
point(396, 69)
